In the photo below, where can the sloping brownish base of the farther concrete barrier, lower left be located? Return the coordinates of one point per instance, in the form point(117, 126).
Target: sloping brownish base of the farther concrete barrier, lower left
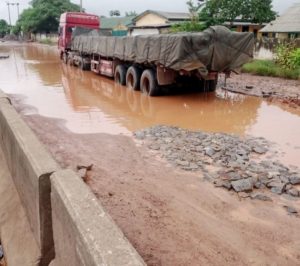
point(19, 244)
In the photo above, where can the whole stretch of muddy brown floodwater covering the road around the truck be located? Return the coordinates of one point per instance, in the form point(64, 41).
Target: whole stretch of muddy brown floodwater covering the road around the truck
point(89, 103)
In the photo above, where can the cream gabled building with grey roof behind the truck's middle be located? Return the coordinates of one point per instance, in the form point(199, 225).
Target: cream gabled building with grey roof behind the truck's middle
point(155, 22)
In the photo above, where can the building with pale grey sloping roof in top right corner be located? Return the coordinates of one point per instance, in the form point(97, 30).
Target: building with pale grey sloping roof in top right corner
point(286, 26)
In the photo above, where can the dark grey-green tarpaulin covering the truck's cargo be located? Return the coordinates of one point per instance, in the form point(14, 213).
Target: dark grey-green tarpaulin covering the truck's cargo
point(215, 49)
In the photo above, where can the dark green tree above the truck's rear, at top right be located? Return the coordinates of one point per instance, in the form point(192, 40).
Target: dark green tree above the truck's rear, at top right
point(219, 11)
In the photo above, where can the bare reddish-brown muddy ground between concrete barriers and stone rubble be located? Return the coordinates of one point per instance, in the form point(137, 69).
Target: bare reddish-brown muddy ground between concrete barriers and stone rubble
point(173, 217)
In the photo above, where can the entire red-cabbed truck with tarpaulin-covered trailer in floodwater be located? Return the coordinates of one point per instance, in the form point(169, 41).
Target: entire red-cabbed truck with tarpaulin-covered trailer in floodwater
point(150, 63)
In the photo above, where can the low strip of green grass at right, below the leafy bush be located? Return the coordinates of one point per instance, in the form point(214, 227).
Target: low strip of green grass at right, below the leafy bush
point(269, 68)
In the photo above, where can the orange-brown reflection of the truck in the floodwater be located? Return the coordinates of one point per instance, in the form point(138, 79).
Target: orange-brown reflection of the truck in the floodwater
point(134, 110)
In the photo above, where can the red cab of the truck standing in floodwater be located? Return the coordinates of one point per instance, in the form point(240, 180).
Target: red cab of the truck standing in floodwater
point(68, 21)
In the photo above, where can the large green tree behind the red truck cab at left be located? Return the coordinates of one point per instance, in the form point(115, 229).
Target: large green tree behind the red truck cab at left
point(44, 15)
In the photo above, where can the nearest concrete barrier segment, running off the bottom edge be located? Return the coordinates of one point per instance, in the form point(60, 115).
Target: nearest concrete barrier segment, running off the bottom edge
point(84, 234)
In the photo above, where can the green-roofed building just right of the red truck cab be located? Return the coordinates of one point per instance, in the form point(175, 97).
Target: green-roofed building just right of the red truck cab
point(116, 26)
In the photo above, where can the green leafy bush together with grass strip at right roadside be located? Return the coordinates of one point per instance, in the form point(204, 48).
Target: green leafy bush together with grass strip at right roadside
point(286, 64)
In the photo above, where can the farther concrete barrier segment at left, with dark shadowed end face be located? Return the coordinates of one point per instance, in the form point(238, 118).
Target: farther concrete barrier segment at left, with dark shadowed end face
point(30, 166)
